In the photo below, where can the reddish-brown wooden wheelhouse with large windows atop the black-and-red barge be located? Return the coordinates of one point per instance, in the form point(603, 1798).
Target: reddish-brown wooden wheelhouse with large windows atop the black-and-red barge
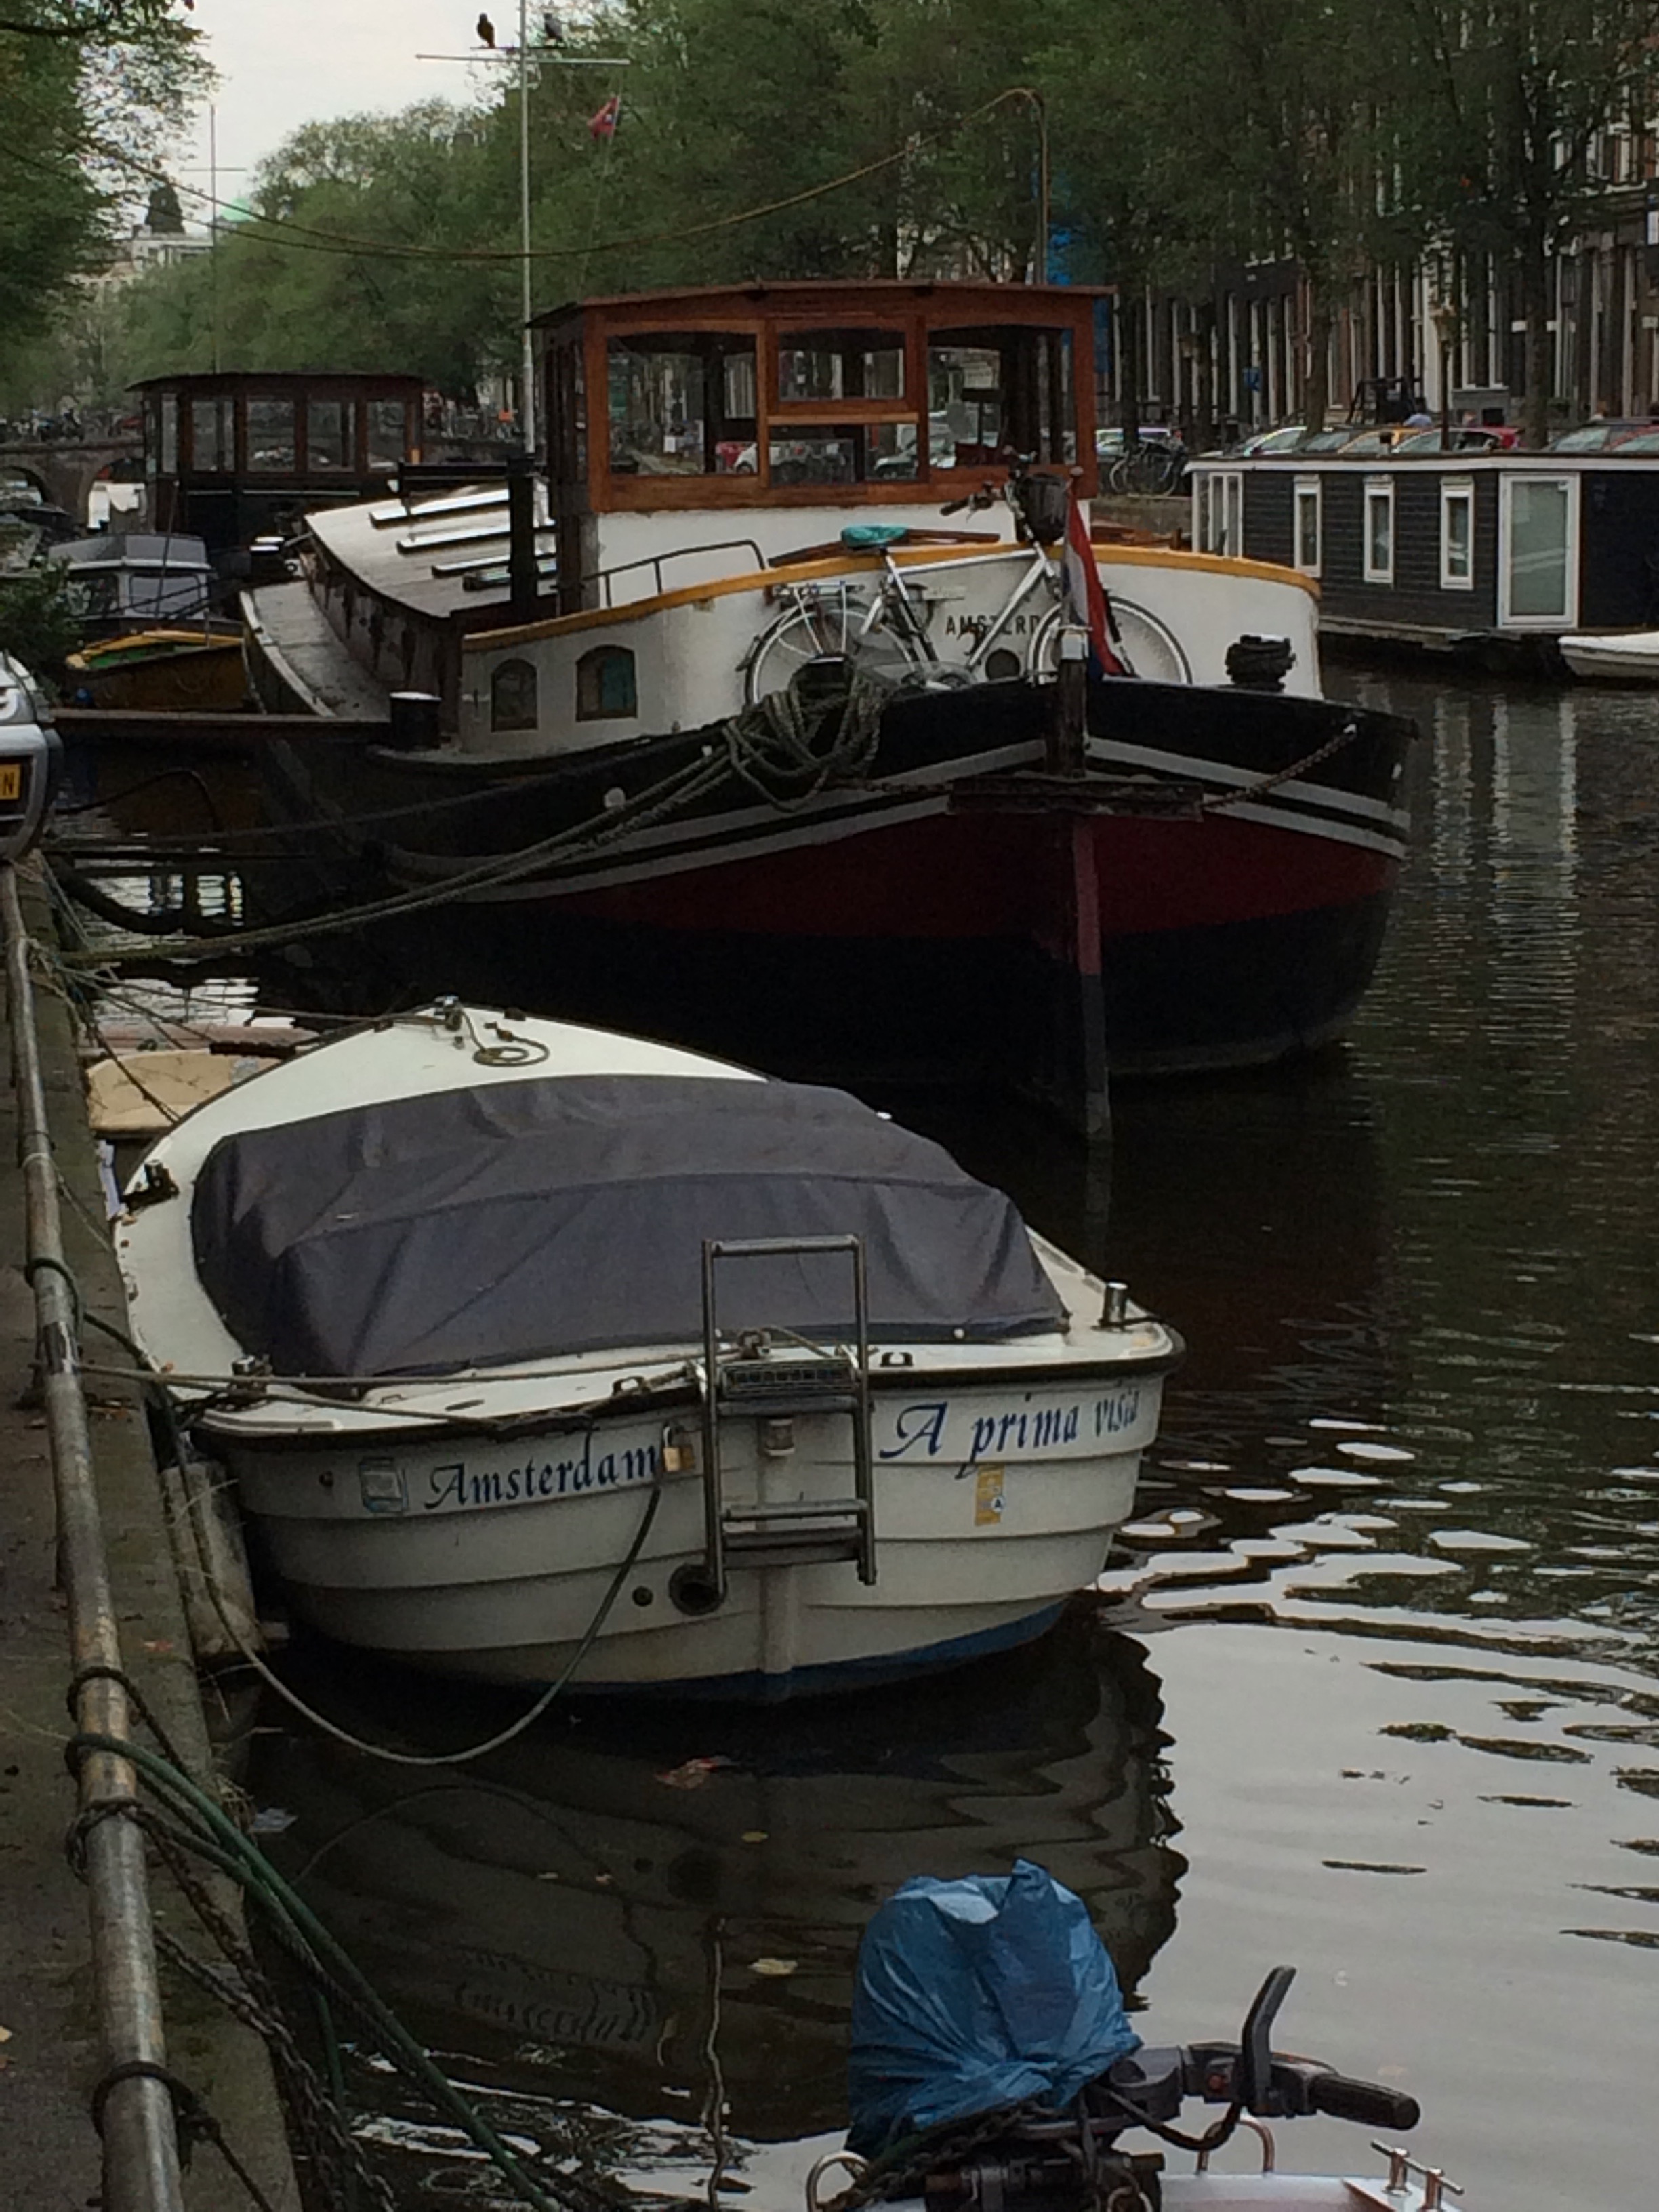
point(773, 399)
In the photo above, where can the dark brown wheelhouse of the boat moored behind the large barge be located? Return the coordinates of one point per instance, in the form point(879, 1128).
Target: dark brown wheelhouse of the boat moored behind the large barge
point(233, 457)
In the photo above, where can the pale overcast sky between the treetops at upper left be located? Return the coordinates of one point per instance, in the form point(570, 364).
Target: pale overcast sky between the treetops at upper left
point(286, 63)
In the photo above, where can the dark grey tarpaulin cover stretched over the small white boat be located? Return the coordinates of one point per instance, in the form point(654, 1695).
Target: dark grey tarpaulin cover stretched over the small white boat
point(554, 1215)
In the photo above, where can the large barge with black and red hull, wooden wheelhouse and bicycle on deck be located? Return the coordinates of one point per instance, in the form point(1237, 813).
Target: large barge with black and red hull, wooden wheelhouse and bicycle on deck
point(751, 733)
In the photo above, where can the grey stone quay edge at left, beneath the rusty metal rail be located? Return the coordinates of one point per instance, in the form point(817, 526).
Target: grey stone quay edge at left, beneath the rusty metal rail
point(52, 2056)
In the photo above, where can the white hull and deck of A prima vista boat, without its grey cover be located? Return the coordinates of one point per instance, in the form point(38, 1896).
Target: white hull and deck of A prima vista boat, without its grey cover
point(477, 1521)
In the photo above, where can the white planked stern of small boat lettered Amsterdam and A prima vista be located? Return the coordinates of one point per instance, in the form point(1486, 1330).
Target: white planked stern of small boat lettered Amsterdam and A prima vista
point(492, 1561)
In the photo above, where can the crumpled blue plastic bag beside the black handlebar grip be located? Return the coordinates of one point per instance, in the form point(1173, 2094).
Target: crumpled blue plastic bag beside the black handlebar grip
point(972, 1996)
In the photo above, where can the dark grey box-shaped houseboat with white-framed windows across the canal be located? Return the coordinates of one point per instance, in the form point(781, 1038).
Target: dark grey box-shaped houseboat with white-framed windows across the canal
point(1490, 559)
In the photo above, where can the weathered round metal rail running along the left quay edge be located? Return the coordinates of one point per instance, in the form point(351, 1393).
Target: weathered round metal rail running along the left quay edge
point(140, 2140)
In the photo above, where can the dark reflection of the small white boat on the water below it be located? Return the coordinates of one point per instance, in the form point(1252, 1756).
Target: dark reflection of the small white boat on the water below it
point(618, 1903)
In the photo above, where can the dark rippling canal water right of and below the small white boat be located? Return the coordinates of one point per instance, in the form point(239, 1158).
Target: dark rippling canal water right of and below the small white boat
point(1370, 1687)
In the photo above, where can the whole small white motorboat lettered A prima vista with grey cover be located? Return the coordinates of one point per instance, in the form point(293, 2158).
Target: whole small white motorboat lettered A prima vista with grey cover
point(532, 1346)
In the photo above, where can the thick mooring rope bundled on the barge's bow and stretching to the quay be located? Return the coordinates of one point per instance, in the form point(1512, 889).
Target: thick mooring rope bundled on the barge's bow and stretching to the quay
point(773, 747)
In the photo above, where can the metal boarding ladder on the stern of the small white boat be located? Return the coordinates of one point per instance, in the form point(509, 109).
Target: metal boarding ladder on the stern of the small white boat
point(747, 1381)
